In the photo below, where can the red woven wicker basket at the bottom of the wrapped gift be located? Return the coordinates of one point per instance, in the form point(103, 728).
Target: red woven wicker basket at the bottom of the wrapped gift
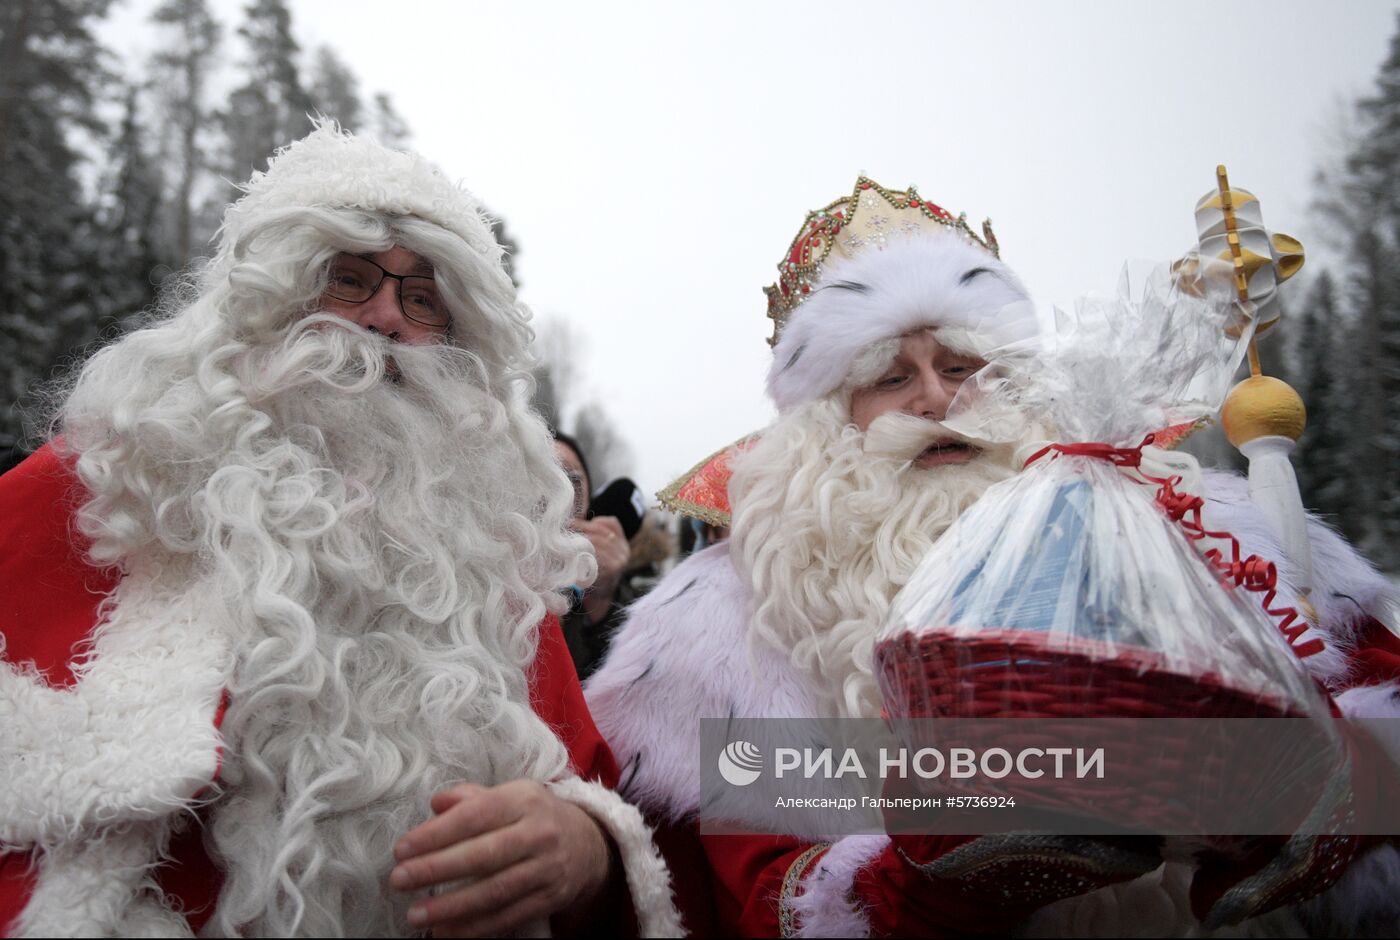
point(1024, 675)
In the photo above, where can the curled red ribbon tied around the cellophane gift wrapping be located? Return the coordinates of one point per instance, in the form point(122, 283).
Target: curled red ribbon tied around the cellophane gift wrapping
point(1254, 574)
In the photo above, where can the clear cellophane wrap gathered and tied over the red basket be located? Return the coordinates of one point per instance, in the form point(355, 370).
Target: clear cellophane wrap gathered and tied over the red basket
point(1066, 592)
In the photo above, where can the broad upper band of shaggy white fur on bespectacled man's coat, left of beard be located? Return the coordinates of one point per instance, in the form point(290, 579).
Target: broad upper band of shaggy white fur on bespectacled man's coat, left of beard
point(132, 740)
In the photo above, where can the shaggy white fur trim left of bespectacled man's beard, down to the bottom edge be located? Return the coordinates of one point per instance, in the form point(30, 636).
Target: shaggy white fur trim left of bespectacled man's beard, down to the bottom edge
point(92, 775)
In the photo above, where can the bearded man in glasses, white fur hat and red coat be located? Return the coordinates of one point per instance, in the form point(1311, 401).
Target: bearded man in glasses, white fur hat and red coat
point(281, 652)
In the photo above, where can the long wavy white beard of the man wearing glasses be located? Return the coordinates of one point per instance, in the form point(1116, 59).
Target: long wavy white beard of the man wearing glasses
point(380, 553)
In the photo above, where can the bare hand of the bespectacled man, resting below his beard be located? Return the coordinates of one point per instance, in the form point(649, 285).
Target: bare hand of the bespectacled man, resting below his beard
point(523, 854)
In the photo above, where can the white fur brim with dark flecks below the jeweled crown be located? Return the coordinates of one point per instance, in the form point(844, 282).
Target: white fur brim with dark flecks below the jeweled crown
point(913, 282)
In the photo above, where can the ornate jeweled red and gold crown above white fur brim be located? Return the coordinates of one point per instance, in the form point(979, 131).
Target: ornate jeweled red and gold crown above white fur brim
point(866, 219)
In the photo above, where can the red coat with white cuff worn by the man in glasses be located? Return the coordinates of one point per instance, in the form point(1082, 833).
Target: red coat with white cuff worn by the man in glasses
point(51, 603)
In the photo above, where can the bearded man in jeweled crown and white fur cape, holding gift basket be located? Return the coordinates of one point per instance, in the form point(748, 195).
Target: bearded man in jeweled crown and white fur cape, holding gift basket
point(888, 306)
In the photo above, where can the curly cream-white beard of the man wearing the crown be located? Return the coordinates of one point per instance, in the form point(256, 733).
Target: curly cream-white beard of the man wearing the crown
point(829, 523)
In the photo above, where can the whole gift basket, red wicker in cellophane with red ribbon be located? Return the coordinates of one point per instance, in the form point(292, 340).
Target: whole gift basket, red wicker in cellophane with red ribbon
point(1088, 586)
